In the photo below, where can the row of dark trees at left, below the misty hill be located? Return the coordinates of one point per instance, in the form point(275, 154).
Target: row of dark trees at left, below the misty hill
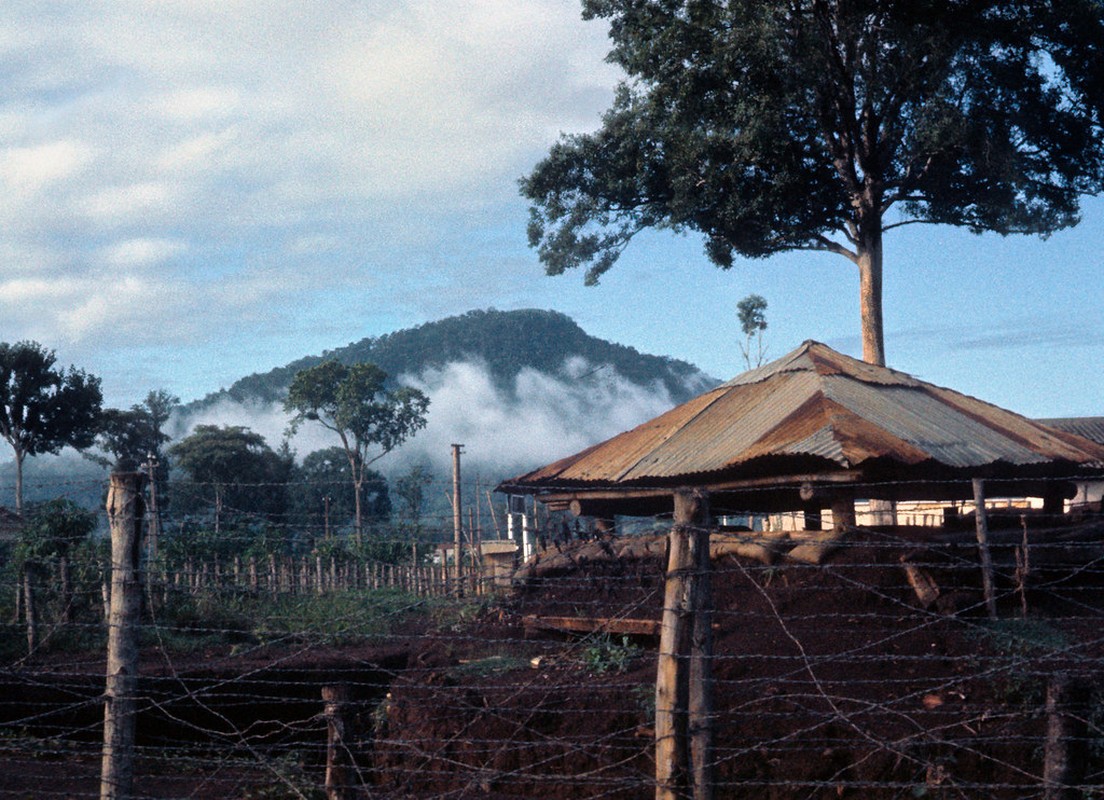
point(225, 475)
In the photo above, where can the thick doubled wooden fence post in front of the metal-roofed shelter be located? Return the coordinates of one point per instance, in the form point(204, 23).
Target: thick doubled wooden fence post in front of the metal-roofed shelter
point(684, 712)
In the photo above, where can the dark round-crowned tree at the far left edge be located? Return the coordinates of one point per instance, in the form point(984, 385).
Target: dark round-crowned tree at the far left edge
point(44, 409)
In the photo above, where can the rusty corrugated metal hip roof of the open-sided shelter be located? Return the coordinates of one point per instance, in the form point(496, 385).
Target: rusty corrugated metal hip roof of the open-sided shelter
point(819, 407)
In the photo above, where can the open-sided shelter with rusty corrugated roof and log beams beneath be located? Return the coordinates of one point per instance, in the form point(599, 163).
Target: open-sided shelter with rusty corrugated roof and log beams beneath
point(818, 429)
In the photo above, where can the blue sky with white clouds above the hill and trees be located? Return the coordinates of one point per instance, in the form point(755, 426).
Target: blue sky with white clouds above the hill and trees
point(198, 190)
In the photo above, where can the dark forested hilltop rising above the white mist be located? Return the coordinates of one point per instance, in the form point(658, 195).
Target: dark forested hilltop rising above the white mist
point(506, 342)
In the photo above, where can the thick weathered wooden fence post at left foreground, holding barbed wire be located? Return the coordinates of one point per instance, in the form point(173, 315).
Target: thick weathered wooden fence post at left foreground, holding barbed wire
point(125, 515)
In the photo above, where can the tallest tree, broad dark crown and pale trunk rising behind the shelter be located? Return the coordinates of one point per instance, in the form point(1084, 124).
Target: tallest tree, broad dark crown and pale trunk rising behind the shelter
point(771, 126)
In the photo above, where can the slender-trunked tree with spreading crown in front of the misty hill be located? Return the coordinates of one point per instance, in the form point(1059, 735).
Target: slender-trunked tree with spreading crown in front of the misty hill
point(369, 418)
